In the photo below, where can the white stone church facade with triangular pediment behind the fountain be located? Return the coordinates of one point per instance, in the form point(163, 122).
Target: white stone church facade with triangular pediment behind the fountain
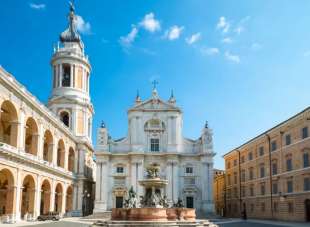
point(155, 137)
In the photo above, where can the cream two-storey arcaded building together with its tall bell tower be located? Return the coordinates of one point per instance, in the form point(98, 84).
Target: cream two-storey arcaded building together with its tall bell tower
point(46, 153)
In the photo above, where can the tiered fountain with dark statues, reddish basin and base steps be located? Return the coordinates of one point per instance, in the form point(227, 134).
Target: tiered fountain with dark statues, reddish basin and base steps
point(152, 208)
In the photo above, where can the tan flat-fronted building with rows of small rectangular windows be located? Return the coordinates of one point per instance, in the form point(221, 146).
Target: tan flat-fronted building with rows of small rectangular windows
point(269, 176)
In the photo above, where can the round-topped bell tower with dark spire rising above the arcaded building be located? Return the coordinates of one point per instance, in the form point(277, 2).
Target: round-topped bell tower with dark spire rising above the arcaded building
point(70, 99)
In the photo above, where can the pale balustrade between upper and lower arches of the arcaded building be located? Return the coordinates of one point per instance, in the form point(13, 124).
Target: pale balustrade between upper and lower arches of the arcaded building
point(30, 157)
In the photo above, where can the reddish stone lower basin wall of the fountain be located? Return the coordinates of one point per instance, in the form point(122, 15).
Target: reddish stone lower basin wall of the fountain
point(153, 214)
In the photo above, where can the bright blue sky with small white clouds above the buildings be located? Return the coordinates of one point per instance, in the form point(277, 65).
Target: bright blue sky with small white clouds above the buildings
point(243, 66)
